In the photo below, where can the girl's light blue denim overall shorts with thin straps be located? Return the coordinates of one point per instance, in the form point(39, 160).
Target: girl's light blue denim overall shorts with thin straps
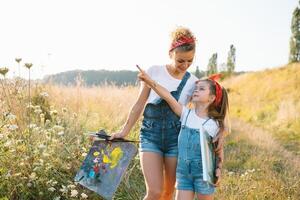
point(189, 174)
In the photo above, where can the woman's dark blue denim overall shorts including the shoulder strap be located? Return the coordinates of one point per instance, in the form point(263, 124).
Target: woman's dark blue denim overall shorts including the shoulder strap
point(161, 126)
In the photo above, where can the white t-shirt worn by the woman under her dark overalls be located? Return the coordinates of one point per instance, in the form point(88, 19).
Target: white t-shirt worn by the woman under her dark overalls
point(160, 74)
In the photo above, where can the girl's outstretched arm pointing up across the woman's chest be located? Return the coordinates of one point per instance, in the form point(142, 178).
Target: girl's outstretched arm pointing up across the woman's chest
point(162, 92)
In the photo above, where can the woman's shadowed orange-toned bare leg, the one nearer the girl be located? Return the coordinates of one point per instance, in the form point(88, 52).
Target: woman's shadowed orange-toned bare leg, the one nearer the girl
point(169, 177)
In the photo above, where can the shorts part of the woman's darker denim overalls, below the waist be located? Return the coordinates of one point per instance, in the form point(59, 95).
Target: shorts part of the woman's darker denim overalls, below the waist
point(160, 136)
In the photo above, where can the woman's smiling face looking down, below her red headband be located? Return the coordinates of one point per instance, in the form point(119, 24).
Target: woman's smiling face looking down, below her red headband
point(182, 60)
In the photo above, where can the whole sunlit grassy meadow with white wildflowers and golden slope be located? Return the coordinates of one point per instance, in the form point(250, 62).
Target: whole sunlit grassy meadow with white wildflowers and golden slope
point(39, 157)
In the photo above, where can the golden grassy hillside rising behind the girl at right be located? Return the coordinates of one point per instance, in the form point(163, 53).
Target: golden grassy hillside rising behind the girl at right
point(270, 100)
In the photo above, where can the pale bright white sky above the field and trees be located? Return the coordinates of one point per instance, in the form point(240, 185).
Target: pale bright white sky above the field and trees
point(63, 35)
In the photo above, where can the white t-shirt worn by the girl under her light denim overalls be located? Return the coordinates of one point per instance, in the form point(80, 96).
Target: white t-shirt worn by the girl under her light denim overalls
point(194, 121)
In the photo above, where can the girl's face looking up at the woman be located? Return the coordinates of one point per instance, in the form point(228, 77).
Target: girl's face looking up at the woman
point(202, 94)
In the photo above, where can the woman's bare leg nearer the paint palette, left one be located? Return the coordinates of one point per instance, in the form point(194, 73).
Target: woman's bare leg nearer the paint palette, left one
point(152, 167)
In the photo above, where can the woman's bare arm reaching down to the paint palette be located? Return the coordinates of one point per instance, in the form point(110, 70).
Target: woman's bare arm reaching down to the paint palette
point(135, 112)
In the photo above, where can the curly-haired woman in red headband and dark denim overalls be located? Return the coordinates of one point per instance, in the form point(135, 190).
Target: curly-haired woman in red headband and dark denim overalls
point(160, 126)
